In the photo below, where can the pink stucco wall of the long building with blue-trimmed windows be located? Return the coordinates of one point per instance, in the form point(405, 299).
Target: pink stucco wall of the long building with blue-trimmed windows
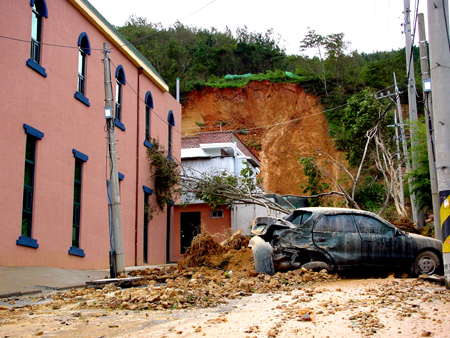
point(48, 104)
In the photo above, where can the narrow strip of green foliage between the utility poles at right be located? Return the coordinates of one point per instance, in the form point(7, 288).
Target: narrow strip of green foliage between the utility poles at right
point(419, 178)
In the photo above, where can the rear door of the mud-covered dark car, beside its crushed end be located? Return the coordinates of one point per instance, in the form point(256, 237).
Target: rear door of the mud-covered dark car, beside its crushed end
point(338, 235)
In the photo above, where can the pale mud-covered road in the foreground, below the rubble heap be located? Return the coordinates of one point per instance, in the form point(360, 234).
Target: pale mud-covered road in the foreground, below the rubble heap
point(340, 308)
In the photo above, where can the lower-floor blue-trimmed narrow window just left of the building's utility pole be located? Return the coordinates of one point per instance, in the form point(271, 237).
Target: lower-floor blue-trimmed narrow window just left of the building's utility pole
point(80, 158)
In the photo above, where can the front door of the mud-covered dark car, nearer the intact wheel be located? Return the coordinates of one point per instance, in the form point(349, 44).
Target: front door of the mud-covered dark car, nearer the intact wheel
point(377, 241)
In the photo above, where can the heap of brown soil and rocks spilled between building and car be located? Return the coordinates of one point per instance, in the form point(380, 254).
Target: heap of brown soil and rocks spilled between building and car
point(209, 275)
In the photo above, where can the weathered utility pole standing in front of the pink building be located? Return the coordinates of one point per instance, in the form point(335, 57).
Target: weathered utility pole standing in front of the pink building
point(114, 173)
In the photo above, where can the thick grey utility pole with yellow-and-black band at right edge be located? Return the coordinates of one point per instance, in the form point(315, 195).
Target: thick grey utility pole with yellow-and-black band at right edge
point(438, 17)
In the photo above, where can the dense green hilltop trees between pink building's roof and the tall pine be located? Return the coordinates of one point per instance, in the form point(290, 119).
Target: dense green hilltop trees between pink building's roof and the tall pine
point(196, 55)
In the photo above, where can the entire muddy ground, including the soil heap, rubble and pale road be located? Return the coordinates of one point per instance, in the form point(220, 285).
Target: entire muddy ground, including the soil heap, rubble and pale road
point(216, 293)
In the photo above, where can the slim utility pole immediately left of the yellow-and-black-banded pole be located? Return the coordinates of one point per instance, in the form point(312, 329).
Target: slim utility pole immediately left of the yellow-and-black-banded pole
point(425, 70)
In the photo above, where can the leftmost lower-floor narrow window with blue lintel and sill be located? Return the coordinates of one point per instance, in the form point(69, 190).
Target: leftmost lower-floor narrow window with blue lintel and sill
point(33, 135)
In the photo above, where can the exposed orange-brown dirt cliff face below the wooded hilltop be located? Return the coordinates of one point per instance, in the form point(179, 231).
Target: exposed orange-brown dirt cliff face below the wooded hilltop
point(279, 121)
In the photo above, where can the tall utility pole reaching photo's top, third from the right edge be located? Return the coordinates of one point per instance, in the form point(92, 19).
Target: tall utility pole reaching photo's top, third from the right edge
point(411, 100)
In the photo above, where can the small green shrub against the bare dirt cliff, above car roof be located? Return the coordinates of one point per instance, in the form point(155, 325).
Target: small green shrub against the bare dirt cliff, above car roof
point(314, 186)
